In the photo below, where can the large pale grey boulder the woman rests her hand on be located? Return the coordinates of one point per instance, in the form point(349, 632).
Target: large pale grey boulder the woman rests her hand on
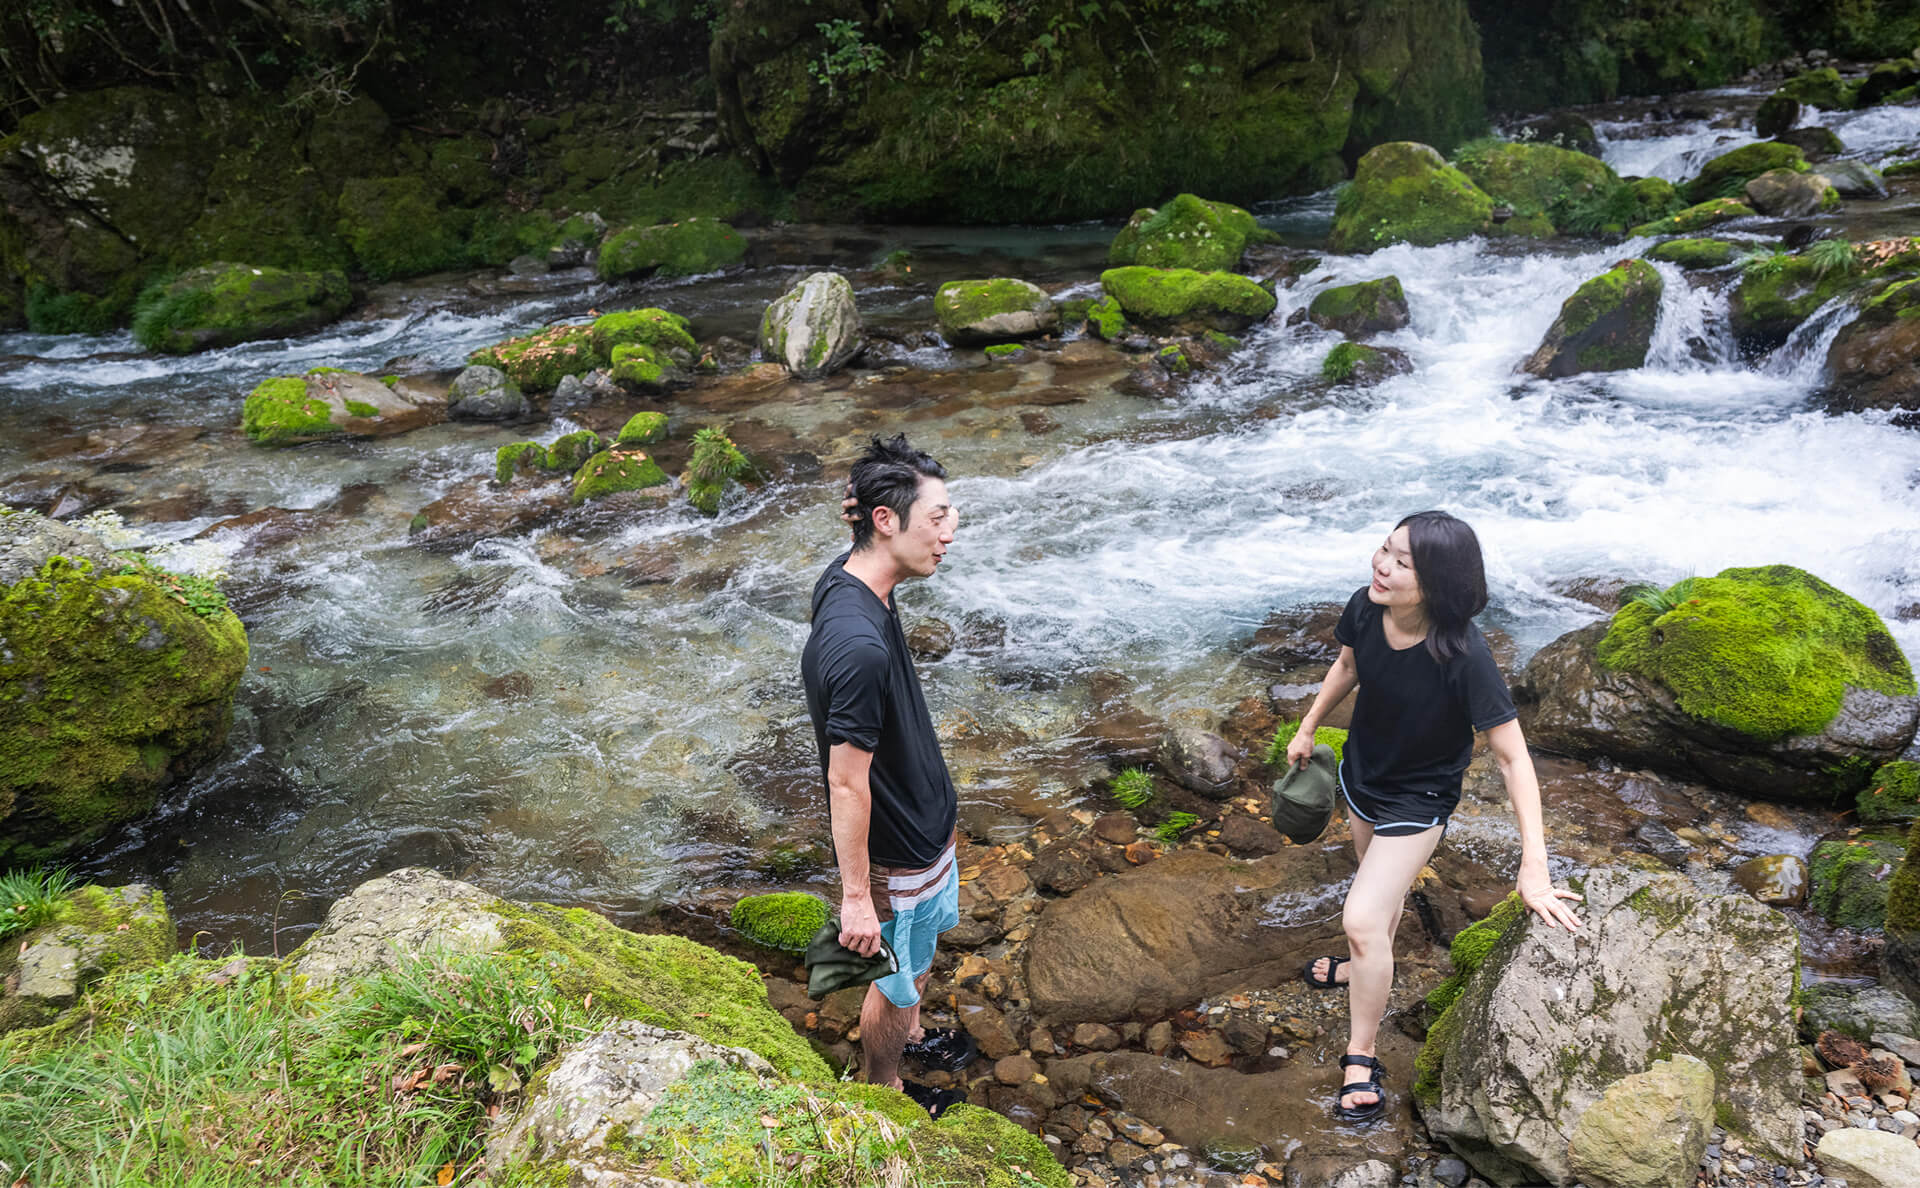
point(1554, 1020)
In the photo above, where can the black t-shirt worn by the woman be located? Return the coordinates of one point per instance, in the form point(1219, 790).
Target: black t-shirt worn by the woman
point(1414, 719)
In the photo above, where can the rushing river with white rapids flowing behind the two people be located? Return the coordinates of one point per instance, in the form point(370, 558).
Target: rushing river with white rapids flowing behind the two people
point(523, 717)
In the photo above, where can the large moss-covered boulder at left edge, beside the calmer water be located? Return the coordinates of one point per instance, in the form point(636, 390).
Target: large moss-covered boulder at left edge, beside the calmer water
point(116, 680)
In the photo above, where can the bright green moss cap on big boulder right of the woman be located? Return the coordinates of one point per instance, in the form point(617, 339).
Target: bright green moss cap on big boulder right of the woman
point(1765, 652)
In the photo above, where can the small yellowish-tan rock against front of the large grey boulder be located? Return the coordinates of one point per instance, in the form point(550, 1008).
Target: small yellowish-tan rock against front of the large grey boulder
point(1648, 1129)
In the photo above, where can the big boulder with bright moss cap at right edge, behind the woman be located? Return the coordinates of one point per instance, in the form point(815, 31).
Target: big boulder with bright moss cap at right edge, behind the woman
point(1760, 680)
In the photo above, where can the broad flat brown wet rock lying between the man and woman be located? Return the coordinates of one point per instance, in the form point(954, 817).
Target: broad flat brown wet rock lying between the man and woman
point(1153, 939)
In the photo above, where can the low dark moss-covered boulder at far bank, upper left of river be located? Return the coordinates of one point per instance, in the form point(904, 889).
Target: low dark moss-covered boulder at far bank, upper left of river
point(218, 306)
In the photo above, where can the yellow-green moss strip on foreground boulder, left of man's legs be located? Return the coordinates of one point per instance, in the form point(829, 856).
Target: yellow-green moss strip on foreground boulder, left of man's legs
point(667, 982)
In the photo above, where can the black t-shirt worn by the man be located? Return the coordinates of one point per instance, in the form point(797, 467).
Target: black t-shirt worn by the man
point(861, 688)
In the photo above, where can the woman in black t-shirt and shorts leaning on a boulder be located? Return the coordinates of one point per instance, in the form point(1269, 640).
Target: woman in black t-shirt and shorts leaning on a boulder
point(1428, 684)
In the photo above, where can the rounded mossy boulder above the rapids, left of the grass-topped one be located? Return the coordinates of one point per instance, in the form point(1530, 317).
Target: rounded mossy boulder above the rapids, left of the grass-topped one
point(1406, 193)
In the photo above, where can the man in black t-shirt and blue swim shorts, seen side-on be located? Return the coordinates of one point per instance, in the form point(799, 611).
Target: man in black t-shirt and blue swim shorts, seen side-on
point(888, 788)
